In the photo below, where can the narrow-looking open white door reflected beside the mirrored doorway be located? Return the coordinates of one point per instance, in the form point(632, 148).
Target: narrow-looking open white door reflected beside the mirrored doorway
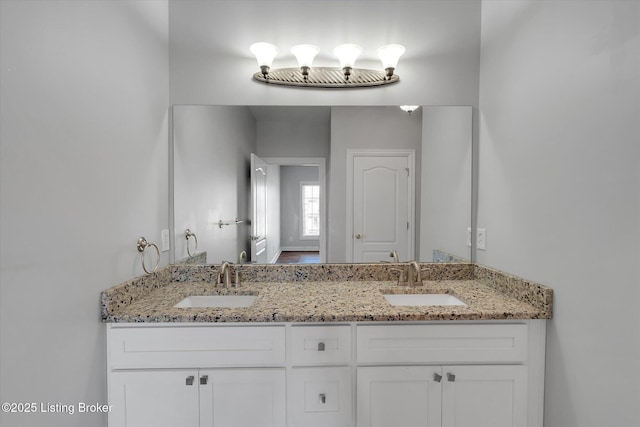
point(258, 210)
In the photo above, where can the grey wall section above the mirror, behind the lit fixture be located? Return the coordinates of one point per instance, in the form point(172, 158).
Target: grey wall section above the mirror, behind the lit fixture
point(211, 62)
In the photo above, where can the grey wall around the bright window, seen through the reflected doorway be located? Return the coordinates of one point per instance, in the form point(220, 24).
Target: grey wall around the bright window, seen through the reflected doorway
point(290, 207)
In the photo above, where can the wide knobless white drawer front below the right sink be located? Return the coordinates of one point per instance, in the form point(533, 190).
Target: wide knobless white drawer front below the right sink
point(442, 344)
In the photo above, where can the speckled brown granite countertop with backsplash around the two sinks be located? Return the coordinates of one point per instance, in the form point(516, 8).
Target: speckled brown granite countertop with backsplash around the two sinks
point(326, 293)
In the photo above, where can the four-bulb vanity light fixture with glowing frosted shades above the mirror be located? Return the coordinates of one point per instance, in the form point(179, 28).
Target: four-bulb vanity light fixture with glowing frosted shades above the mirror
point(346, 76)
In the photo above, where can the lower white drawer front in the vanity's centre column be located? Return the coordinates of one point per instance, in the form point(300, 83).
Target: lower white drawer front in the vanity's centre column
point(320, 397)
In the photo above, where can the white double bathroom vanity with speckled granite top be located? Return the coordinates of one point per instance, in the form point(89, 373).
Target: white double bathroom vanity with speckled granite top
point(313, 352)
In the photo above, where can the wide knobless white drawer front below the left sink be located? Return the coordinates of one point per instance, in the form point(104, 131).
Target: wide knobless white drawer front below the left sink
point(195, 347)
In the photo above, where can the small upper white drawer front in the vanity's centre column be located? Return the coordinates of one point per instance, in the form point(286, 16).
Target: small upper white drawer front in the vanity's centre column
point(321, 345)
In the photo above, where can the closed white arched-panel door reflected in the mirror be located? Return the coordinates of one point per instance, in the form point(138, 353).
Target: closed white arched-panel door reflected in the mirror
point(381, 207)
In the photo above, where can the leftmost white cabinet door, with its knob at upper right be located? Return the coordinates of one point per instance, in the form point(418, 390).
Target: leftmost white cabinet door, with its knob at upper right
point(154, 398)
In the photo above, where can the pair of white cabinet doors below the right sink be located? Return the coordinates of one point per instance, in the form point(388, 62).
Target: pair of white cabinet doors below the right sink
point(447, 396)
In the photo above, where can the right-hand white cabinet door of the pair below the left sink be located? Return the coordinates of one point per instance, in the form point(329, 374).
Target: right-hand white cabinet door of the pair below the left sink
point(242, 398)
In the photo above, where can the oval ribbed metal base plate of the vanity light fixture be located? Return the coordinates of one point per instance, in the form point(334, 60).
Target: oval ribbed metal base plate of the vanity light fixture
point(326, 77)
